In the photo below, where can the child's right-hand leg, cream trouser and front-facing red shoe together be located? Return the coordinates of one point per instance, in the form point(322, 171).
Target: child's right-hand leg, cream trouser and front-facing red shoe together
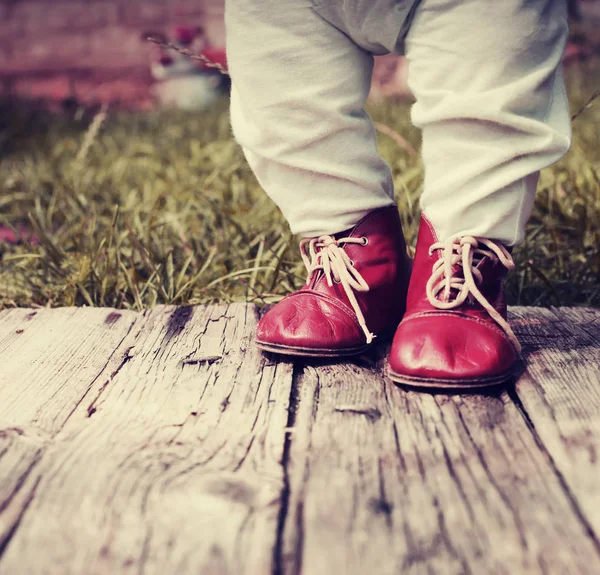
point(492, 106)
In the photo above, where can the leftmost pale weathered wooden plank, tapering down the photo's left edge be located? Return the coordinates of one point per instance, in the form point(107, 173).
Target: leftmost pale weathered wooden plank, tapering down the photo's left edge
point(49, 359)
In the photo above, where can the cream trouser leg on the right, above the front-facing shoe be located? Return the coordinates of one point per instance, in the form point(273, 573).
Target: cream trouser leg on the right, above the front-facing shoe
point(492, 106)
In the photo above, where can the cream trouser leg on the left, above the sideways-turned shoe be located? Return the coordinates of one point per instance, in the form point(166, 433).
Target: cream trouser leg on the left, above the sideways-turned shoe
point(298, 90)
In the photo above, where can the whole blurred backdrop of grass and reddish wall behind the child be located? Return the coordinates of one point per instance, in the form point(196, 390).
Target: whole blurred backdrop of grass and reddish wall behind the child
point(121, 185)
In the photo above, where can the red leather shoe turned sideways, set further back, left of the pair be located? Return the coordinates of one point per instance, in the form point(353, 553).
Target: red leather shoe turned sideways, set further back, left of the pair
point(355, 291)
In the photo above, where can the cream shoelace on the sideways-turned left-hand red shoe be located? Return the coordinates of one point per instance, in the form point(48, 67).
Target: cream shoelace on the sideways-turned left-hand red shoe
point(325, 253)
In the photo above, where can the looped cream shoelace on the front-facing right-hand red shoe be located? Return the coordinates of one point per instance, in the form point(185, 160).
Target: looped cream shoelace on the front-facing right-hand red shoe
point(466, 252)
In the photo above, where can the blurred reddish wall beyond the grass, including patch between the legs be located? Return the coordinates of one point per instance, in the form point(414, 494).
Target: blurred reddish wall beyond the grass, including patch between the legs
point(93, 51)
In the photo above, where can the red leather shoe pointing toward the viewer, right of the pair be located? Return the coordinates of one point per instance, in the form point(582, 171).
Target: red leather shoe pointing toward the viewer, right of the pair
point(454, 333)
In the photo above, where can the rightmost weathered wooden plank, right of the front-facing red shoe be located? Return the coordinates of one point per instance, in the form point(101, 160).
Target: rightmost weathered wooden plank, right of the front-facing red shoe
point(560, 394)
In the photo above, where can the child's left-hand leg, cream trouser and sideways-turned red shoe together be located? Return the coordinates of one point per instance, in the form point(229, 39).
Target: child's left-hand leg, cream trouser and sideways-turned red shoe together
point(298, 89)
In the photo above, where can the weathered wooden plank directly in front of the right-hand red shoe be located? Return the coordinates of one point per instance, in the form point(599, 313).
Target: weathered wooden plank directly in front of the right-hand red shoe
point(383, 480)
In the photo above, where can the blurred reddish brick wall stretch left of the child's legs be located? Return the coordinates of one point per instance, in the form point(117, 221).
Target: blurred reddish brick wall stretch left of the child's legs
point(90, 49)
